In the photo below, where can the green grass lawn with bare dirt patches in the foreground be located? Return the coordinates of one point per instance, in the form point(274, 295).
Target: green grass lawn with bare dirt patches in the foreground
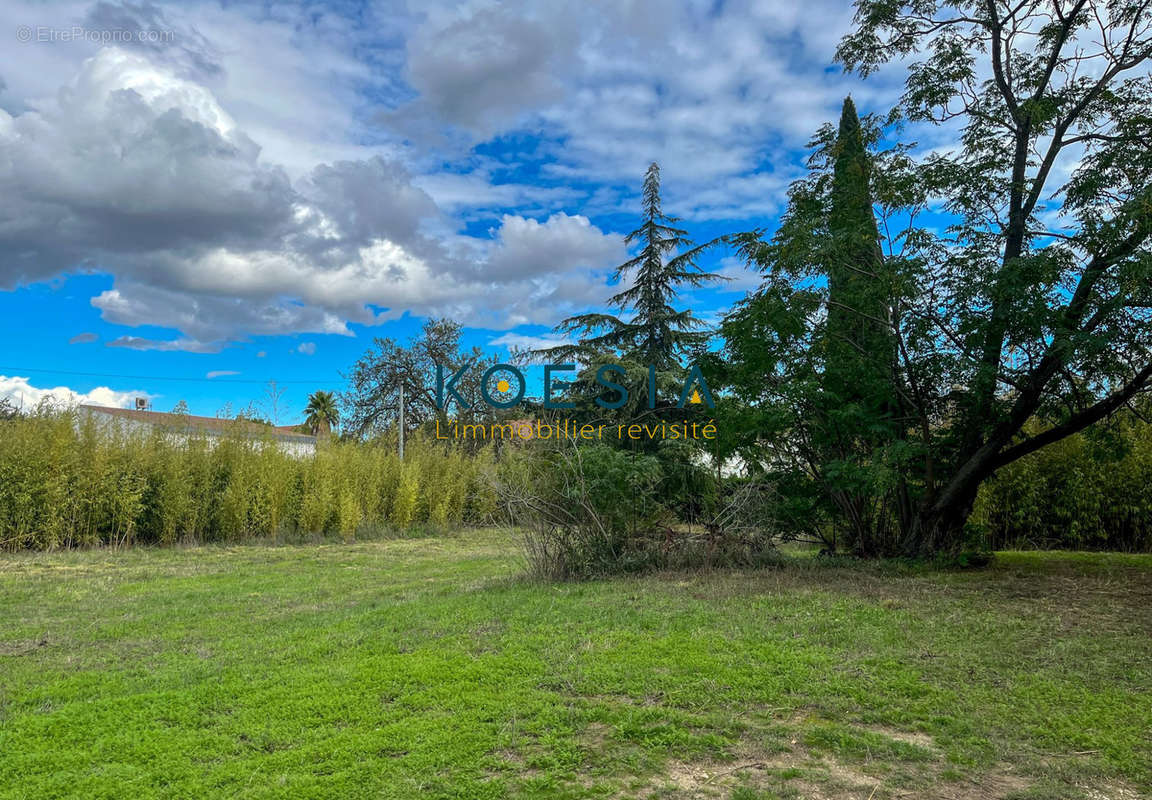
point(429, 669)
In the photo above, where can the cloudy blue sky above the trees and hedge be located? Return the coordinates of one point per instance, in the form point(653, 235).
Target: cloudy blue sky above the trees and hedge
point(198, 199)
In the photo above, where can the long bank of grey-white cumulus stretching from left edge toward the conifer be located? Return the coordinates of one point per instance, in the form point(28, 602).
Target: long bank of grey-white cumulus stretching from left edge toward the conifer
point(137, 171)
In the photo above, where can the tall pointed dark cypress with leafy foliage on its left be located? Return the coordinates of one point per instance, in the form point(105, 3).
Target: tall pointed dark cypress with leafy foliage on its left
point(810, 360)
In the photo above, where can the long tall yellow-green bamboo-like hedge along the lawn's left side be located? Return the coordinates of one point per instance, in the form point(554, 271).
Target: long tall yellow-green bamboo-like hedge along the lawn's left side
point(69, 481)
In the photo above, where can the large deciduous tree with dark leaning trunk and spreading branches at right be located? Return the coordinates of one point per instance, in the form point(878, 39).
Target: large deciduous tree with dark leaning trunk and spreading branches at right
point(1028, 293)
